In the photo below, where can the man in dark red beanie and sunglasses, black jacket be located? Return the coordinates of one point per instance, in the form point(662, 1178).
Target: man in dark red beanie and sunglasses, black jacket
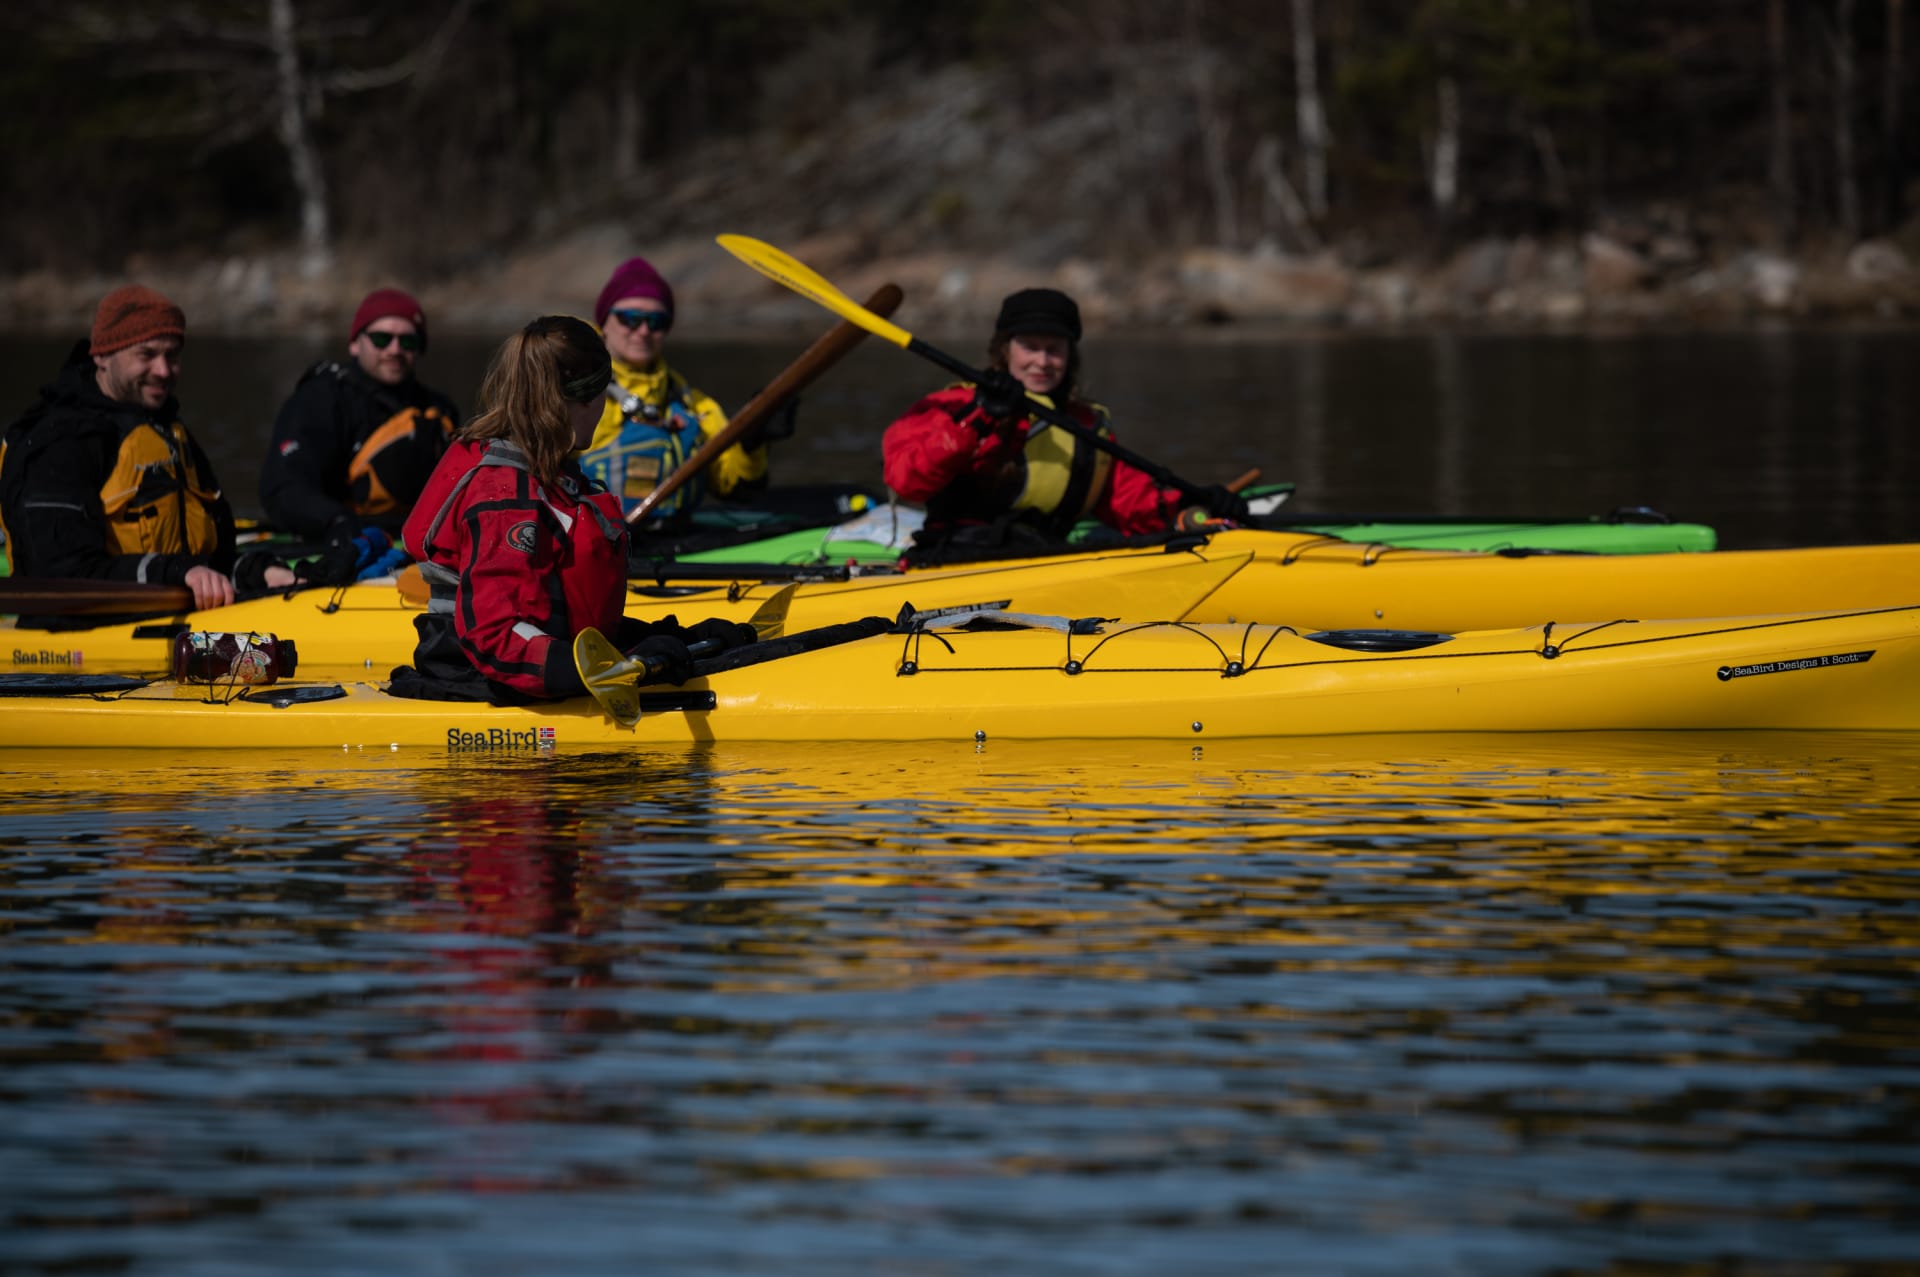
point(358, 439)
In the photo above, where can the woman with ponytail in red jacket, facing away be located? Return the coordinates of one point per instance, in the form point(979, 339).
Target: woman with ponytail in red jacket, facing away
point(519, 548)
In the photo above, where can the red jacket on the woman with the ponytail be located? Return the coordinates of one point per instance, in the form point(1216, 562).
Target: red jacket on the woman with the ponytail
point(517, 569)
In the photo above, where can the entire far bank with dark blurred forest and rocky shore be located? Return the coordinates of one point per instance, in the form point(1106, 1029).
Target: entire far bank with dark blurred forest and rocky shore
point(1166, 160)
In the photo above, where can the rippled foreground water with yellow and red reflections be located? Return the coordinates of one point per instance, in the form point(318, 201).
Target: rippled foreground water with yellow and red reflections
point(1445, 1005)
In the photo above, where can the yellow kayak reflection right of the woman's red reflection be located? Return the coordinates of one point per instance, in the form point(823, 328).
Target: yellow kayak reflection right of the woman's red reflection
point(1598, 855)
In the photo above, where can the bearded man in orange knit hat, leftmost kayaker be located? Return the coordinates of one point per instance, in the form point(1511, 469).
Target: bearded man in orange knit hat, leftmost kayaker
point(103, 481)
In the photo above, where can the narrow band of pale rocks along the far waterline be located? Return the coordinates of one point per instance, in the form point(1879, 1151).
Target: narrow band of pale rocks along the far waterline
point(1524, 283)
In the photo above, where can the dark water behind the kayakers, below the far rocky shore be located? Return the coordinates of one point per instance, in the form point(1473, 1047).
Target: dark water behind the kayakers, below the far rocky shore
point(1775, 439)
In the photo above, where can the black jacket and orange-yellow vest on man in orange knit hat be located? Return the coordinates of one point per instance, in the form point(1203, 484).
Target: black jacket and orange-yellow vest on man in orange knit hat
point(107, 491)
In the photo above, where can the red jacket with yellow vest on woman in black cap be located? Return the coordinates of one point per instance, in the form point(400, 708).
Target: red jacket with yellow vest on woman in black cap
point(972, 471)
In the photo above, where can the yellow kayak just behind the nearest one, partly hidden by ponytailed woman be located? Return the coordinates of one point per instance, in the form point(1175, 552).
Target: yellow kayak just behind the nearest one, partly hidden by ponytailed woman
point(1237, 577)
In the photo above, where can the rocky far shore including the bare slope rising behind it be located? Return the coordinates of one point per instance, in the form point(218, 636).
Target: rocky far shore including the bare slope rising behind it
point(944, 185)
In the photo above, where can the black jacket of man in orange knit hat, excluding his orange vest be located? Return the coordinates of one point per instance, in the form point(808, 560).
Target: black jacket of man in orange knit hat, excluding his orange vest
point(60, 456)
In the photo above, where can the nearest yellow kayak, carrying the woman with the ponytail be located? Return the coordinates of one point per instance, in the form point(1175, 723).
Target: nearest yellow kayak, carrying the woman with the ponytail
point(1049, 681)
